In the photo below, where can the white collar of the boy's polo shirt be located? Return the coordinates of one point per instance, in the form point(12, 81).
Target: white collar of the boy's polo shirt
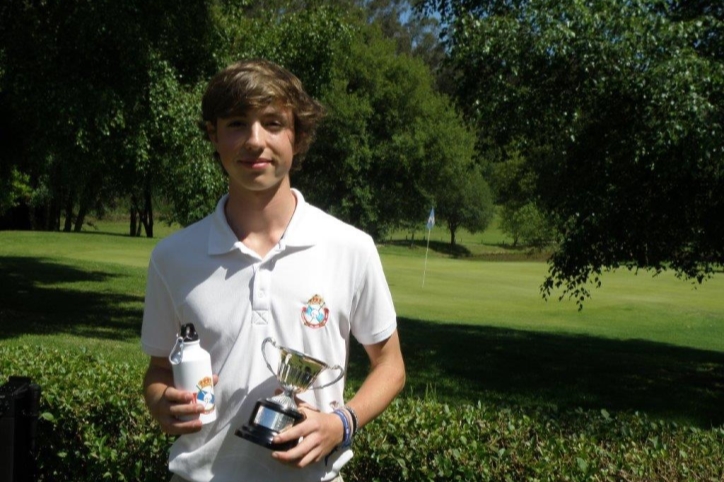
point(223, 240)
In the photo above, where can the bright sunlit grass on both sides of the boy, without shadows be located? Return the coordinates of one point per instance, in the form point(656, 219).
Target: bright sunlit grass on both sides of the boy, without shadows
point(498, 294)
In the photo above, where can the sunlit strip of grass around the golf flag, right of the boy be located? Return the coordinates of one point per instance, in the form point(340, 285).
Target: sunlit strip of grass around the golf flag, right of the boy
point(627, 306)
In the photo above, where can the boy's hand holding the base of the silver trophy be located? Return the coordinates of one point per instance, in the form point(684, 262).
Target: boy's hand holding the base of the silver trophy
point(321, 433)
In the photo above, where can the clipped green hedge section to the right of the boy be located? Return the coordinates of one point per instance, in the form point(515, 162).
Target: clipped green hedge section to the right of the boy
point(428, 441)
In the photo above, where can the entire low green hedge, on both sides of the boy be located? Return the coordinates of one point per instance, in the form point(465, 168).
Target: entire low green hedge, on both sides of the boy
point(94, 426)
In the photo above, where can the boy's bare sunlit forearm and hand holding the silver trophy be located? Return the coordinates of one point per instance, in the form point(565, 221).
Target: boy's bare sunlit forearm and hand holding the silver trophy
point(322, 432)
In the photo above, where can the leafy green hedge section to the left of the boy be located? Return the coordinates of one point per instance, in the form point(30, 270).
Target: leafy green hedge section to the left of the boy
point(94, 424)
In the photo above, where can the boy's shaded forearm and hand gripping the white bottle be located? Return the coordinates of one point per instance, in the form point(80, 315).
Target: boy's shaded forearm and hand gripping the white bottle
point(165, 403)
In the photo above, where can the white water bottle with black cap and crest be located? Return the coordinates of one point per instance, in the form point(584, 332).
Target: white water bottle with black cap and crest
point(191, 366)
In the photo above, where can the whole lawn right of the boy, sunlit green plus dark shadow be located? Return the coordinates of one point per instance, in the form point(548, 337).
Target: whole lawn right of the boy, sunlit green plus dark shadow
point(480, 330)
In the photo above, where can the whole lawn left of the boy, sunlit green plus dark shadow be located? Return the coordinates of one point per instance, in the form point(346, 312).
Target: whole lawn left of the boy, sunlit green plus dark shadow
point(73, 290)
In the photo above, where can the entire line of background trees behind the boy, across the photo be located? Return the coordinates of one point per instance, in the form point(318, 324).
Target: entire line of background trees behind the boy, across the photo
point(595, 126)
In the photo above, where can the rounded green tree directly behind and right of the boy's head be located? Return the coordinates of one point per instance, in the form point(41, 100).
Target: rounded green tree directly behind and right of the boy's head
point(378, 153)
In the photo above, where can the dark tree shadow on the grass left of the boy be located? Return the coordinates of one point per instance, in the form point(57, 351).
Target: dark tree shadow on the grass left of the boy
point(39, 296)
